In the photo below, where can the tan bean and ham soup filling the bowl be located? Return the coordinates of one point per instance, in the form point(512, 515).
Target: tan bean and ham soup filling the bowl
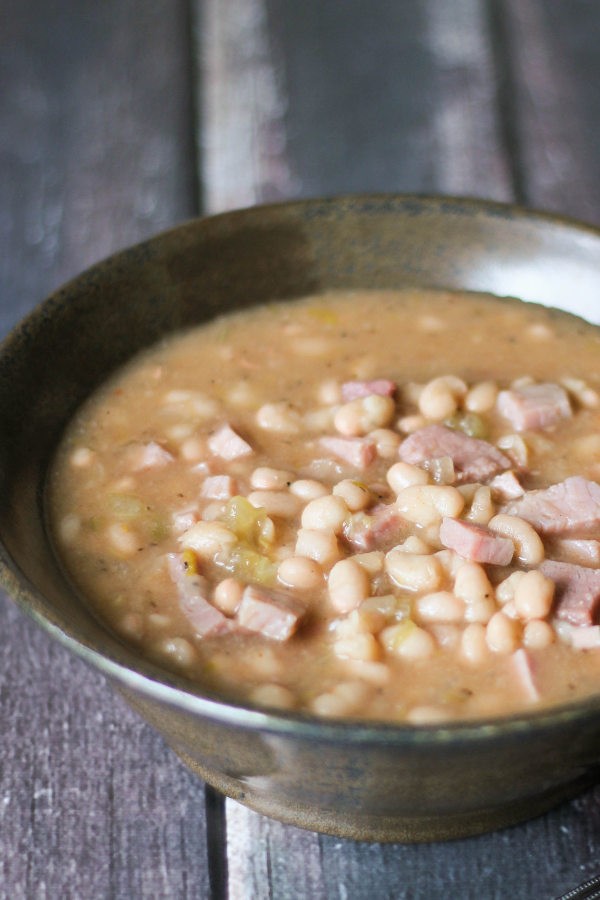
point(367, 504)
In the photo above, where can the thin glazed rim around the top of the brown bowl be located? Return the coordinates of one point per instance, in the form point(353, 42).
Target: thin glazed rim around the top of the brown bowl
point(155, 682)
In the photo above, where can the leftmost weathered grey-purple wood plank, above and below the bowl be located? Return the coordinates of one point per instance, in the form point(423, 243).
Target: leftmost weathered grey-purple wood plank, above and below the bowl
point(96, 152)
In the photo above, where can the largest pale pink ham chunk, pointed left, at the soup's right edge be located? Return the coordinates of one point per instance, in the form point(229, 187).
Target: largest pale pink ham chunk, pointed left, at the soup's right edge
point(570, 507)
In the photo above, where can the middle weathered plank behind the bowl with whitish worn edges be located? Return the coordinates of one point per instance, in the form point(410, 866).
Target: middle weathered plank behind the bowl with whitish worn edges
point(307, 99)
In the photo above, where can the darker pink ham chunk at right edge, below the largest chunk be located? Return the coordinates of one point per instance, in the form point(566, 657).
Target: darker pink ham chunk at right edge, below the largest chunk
point(577, 591)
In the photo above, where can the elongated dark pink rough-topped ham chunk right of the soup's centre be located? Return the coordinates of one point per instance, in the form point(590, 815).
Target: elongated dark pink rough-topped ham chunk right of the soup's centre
point(474, 459)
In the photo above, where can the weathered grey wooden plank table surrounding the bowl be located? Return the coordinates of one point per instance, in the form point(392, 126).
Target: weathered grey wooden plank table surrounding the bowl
point(123, 117)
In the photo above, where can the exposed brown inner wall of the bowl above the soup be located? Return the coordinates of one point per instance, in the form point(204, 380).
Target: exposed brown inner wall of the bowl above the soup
point(69, 344)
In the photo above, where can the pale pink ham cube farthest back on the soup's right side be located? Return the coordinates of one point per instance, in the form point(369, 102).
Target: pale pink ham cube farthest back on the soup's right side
point(534, 406)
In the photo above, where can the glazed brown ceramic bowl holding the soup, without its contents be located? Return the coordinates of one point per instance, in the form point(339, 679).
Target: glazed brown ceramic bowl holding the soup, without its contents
point(361, 780)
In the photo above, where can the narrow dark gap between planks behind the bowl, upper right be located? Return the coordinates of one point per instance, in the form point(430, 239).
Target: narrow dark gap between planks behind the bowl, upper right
point(506, 94)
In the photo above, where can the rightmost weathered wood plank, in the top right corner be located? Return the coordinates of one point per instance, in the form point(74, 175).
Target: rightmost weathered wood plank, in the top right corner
point(554, 71)
